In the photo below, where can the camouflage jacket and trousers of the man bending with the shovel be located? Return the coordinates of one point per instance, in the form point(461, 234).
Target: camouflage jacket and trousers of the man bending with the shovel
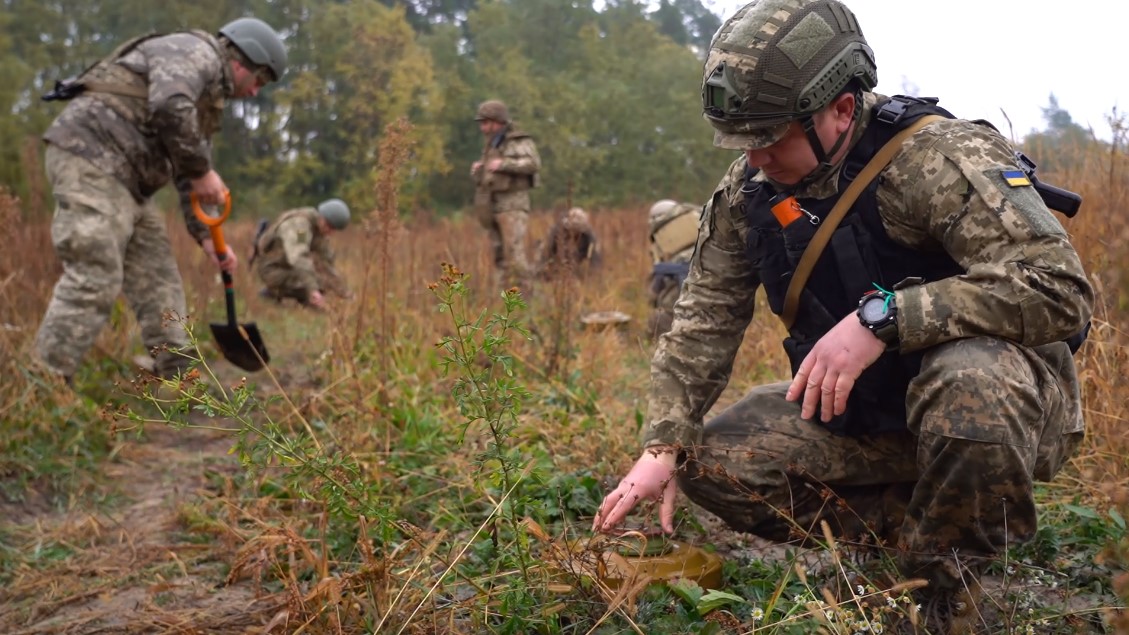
point(108, 154)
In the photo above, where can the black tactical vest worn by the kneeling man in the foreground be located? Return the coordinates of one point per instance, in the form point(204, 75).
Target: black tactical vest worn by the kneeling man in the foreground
point(860, 255)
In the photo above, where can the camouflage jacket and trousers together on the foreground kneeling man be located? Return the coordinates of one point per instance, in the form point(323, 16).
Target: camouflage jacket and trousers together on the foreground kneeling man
point(995, 406)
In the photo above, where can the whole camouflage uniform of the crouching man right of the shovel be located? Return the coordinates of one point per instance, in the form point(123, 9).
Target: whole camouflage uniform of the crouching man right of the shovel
point(294, 258)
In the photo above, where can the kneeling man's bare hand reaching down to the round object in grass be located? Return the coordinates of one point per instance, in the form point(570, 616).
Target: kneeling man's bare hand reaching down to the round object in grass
point(651, 480)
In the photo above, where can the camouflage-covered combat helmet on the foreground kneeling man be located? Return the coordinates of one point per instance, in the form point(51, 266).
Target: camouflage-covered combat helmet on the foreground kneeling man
point(776, 62)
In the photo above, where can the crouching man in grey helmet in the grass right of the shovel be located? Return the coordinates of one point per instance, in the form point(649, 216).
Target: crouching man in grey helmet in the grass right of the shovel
point(293, 256)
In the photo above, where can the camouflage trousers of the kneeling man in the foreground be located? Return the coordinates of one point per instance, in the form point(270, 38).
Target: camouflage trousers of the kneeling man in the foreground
point(986, 419)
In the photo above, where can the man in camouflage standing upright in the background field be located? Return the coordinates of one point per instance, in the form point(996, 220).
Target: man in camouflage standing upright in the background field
point(503, 178)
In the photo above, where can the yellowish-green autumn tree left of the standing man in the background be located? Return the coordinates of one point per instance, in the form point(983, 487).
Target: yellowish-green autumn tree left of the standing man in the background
point(366, 72)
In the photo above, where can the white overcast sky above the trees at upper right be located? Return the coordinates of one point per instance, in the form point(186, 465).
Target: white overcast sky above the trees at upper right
point(983, 56)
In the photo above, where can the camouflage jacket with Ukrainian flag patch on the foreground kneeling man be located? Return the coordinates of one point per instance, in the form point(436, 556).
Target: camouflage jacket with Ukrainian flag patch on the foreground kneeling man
point(1023, 280)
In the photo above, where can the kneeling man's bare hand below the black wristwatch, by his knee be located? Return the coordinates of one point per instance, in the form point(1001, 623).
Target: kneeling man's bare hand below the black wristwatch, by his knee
point(828, 375)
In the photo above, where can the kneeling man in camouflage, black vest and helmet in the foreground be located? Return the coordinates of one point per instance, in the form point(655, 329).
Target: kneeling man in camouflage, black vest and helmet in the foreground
point(931, 327)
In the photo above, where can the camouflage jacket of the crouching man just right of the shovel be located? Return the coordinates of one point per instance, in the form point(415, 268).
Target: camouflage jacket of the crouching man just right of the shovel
point(294, 242)
